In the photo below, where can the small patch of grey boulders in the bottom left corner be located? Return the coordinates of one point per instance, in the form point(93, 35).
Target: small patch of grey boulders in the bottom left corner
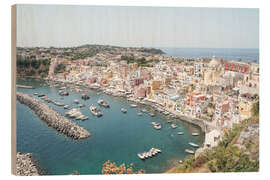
point(25, 165)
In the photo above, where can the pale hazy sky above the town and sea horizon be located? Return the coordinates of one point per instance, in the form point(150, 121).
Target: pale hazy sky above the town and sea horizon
point(69, 26)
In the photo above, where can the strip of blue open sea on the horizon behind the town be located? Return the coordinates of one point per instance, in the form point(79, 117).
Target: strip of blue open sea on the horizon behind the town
point(237, 54)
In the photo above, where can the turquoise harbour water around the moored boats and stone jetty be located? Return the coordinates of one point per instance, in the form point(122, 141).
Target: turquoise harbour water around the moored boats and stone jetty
point(115, 136)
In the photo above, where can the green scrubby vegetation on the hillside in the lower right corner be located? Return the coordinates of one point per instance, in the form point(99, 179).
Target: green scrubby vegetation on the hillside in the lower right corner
point(228, 156)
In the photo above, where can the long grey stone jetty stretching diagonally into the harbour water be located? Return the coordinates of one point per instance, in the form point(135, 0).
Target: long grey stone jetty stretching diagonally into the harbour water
point(53, 118)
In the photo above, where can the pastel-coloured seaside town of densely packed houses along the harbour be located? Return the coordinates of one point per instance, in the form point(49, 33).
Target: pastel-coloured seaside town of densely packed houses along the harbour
point(212, 93)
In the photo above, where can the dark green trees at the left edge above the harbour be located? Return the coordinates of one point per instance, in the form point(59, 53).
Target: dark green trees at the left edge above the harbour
point(33, 67)
